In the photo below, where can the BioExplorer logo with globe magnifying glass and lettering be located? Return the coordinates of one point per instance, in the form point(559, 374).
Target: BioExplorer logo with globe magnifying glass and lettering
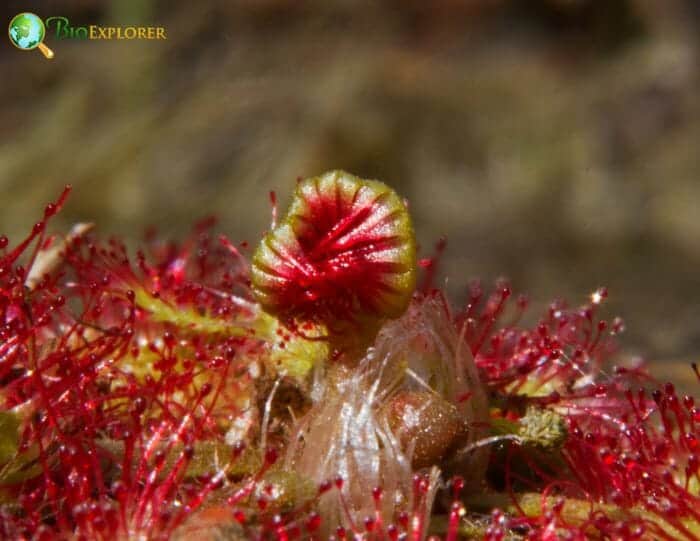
point(27, 31)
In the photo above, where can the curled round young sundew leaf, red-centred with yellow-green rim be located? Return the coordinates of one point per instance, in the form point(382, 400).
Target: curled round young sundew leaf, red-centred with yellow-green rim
point(345, 251)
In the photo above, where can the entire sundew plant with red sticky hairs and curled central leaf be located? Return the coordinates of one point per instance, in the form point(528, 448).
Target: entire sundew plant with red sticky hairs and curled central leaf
point(323, 388)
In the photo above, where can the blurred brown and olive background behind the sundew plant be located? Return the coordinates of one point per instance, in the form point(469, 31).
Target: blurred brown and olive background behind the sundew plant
point(555, 142)
